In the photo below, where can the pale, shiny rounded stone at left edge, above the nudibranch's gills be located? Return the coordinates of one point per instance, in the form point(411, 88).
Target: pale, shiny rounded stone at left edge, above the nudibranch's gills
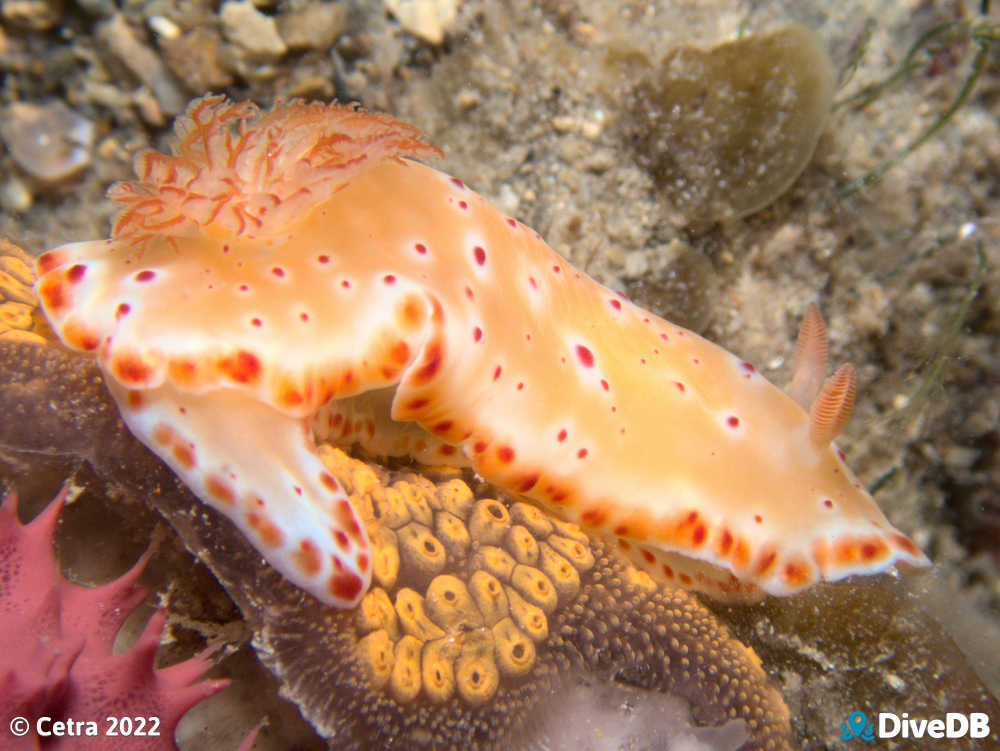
point(48, 141)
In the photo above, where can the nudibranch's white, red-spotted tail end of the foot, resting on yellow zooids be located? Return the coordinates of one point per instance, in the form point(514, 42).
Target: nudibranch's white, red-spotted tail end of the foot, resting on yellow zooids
point(260, 468)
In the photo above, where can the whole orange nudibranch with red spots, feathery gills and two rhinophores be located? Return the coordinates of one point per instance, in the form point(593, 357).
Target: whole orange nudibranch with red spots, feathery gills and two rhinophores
point(295, 275)
